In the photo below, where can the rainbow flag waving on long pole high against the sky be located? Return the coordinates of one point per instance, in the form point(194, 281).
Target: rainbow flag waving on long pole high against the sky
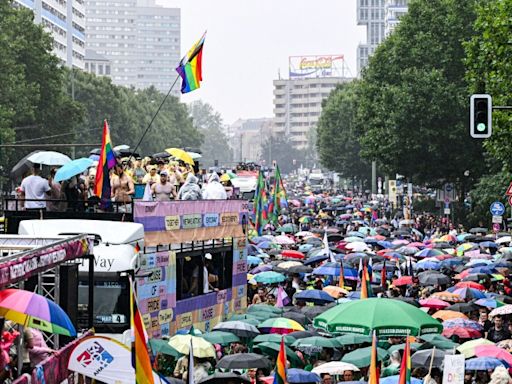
point(190, 68)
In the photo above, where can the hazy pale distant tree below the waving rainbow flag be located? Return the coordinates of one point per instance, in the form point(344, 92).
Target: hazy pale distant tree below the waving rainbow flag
point(209, 122)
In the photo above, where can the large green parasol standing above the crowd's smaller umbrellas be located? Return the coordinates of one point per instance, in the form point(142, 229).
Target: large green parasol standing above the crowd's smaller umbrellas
point(385, 316)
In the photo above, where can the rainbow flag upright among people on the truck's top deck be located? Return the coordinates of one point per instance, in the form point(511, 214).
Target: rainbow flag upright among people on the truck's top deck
point(106, 162)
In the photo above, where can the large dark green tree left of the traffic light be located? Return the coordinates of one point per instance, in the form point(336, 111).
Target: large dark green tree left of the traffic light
point(413, 98)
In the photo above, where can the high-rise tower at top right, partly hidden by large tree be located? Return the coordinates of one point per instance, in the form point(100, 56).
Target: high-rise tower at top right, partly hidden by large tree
point(370, 13)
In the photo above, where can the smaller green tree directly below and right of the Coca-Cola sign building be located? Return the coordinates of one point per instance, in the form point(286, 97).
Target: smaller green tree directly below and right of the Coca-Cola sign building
point(337, 141)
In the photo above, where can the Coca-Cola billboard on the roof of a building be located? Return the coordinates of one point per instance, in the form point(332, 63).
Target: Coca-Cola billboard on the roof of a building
point(316, 66)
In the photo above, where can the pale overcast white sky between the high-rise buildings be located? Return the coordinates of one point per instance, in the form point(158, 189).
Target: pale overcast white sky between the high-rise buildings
point(249, 41)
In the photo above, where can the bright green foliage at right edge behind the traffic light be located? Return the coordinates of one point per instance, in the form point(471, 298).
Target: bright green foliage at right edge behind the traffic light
point(489, 65)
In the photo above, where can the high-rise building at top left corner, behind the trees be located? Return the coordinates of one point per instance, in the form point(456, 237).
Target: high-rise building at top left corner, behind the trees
point(65, 20)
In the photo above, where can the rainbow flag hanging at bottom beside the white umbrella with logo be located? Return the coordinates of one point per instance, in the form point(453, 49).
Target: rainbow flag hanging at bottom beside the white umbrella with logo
point(140, 354)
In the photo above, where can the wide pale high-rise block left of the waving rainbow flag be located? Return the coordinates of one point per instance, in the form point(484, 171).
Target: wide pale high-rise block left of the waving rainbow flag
point(139, 38)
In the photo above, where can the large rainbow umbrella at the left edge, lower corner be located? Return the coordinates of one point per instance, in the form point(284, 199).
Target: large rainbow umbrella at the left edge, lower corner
point(32, 310)
